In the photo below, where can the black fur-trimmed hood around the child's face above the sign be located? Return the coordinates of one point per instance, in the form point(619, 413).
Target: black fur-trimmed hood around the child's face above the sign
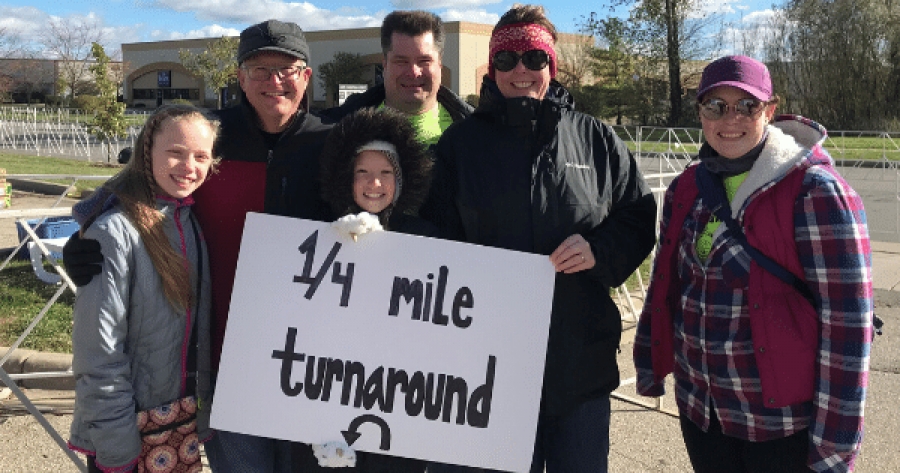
point(339, 156)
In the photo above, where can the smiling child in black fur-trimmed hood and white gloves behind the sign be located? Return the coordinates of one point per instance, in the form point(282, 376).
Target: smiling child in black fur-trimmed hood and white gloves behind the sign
point(371, 163)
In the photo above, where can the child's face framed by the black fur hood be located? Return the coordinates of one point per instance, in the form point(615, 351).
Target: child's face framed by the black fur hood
point(373, 181)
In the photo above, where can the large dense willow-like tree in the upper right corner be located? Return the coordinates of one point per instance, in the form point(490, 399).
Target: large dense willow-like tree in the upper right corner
point(838, 61)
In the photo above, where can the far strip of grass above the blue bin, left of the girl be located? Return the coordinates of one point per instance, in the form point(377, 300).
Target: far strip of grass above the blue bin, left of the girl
point(26, 164)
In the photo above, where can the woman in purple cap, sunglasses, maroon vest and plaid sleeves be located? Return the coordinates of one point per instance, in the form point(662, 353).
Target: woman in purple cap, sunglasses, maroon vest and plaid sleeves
point(765, 321)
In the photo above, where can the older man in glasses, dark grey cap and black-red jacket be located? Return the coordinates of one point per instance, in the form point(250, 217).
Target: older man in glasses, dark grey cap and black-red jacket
point(269, 147)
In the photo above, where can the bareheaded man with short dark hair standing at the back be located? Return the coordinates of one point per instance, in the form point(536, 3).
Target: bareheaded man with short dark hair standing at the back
point(412, 43)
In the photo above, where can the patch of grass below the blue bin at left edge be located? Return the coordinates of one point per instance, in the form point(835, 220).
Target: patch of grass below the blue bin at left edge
point(22, 296)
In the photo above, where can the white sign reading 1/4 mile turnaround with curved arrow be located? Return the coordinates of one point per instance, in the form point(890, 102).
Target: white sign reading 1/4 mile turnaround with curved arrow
point(401, 345)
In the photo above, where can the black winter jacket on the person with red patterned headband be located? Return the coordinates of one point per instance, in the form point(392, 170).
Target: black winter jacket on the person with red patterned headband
point(524, 174)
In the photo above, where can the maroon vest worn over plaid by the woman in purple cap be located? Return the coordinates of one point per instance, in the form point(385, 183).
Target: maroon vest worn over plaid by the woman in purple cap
point(784, 326)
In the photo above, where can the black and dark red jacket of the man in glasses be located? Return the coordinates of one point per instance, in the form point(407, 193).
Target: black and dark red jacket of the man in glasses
point(253, 178)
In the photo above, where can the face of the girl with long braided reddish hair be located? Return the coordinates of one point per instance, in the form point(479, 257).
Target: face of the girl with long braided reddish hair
point(182, 154)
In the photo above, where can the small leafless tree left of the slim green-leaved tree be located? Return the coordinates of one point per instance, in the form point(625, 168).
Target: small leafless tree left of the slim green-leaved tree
point(70, 42)
